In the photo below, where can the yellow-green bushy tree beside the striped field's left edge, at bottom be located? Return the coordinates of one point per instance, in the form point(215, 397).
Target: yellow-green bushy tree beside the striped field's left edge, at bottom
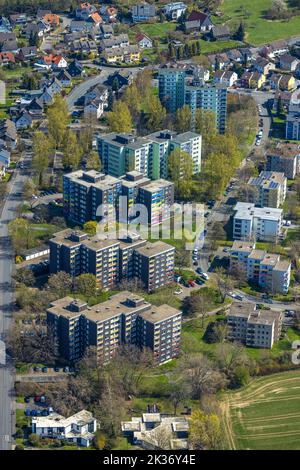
point(205, 431)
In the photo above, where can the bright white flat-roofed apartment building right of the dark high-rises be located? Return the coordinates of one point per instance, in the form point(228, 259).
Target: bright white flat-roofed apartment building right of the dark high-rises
point(258, 223)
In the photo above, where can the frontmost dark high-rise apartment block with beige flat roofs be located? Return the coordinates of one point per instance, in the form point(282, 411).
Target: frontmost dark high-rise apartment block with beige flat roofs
point(123, 319)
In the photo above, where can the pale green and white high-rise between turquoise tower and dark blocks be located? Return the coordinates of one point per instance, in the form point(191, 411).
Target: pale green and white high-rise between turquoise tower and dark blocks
point(123, 153)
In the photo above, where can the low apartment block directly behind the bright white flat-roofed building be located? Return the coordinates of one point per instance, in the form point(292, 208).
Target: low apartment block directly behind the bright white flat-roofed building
point(271, 188)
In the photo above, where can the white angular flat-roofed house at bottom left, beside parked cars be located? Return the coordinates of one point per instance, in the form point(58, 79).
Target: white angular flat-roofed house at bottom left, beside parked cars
point(79, 428)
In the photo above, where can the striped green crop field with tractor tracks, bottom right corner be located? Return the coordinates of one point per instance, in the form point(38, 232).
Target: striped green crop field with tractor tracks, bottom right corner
point(265, 415)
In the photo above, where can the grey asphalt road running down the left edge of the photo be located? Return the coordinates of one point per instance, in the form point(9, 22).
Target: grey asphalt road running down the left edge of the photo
point(7, 413)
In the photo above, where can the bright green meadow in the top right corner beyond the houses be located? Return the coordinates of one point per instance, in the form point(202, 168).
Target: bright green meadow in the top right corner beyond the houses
point(258, 29)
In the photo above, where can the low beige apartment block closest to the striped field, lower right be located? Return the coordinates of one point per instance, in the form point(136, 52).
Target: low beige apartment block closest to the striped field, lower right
point(252, 327)
